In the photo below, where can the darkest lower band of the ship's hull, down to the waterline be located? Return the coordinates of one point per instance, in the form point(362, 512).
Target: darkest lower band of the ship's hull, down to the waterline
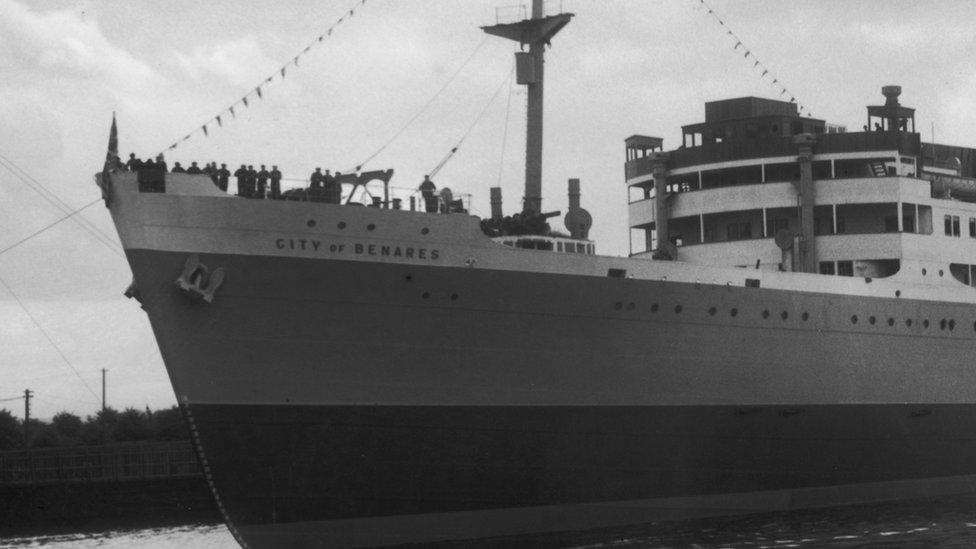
point(348, 475)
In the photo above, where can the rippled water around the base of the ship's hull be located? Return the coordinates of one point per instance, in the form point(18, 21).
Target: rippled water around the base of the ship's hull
point(944, 523)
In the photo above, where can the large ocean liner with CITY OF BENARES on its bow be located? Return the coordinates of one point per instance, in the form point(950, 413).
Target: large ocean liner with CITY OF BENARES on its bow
point(792, 329)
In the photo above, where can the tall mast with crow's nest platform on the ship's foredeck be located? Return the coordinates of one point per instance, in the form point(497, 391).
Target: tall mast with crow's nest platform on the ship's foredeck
point(529, 67)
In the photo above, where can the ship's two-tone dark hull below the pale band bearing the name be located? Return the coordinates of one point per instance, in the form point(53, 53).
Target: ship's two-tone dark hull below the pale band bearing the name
point(358, 403)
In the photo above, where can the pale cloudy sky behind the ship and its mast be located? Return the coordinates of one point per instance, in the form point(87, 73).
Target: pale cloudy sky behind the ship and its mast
point(374, 85)
